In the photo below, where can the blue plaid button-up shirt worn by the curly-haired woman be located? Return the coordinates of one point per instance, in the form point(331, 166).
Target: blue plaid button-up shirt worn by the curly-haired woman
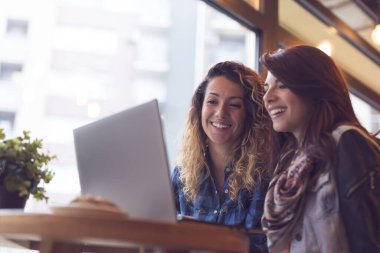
point(245, 211)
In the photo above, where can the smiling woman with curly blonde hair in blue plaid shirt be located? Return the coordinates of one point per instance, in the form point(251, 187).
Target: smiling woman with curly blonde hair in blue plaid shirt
point(223, 167)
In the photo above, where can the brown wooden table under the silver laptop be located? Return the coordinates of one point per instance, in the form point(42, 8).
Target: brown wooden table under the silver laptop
point(50, 233)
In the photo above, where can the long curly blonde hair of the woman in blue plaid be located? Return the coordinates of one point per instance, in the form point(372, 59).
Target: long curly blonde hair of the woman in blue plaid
point(249, 158)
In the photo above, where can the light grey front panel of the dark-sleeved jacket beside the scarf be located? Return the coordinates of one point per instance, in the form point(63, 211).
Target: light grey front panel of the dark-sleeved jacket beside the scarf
point(321, 229)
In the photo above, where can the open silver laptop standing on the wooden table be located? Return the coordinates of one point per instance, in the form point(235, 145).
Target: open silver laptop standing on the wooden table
point(123, 158)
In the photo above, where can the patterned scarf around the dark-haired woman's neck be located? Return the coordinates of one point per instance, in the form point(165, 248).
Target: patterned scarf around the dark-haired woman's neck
point(285, 201)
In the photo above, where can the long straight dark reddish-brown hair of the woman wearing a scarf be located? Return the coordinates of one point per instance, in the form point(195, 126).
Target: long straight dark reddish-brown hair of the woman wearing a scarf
point(312, 75)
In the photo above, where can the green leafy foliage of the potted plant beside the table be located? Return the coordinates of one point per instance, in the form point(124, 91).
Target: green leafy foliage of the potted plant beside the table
point(23, 165)
